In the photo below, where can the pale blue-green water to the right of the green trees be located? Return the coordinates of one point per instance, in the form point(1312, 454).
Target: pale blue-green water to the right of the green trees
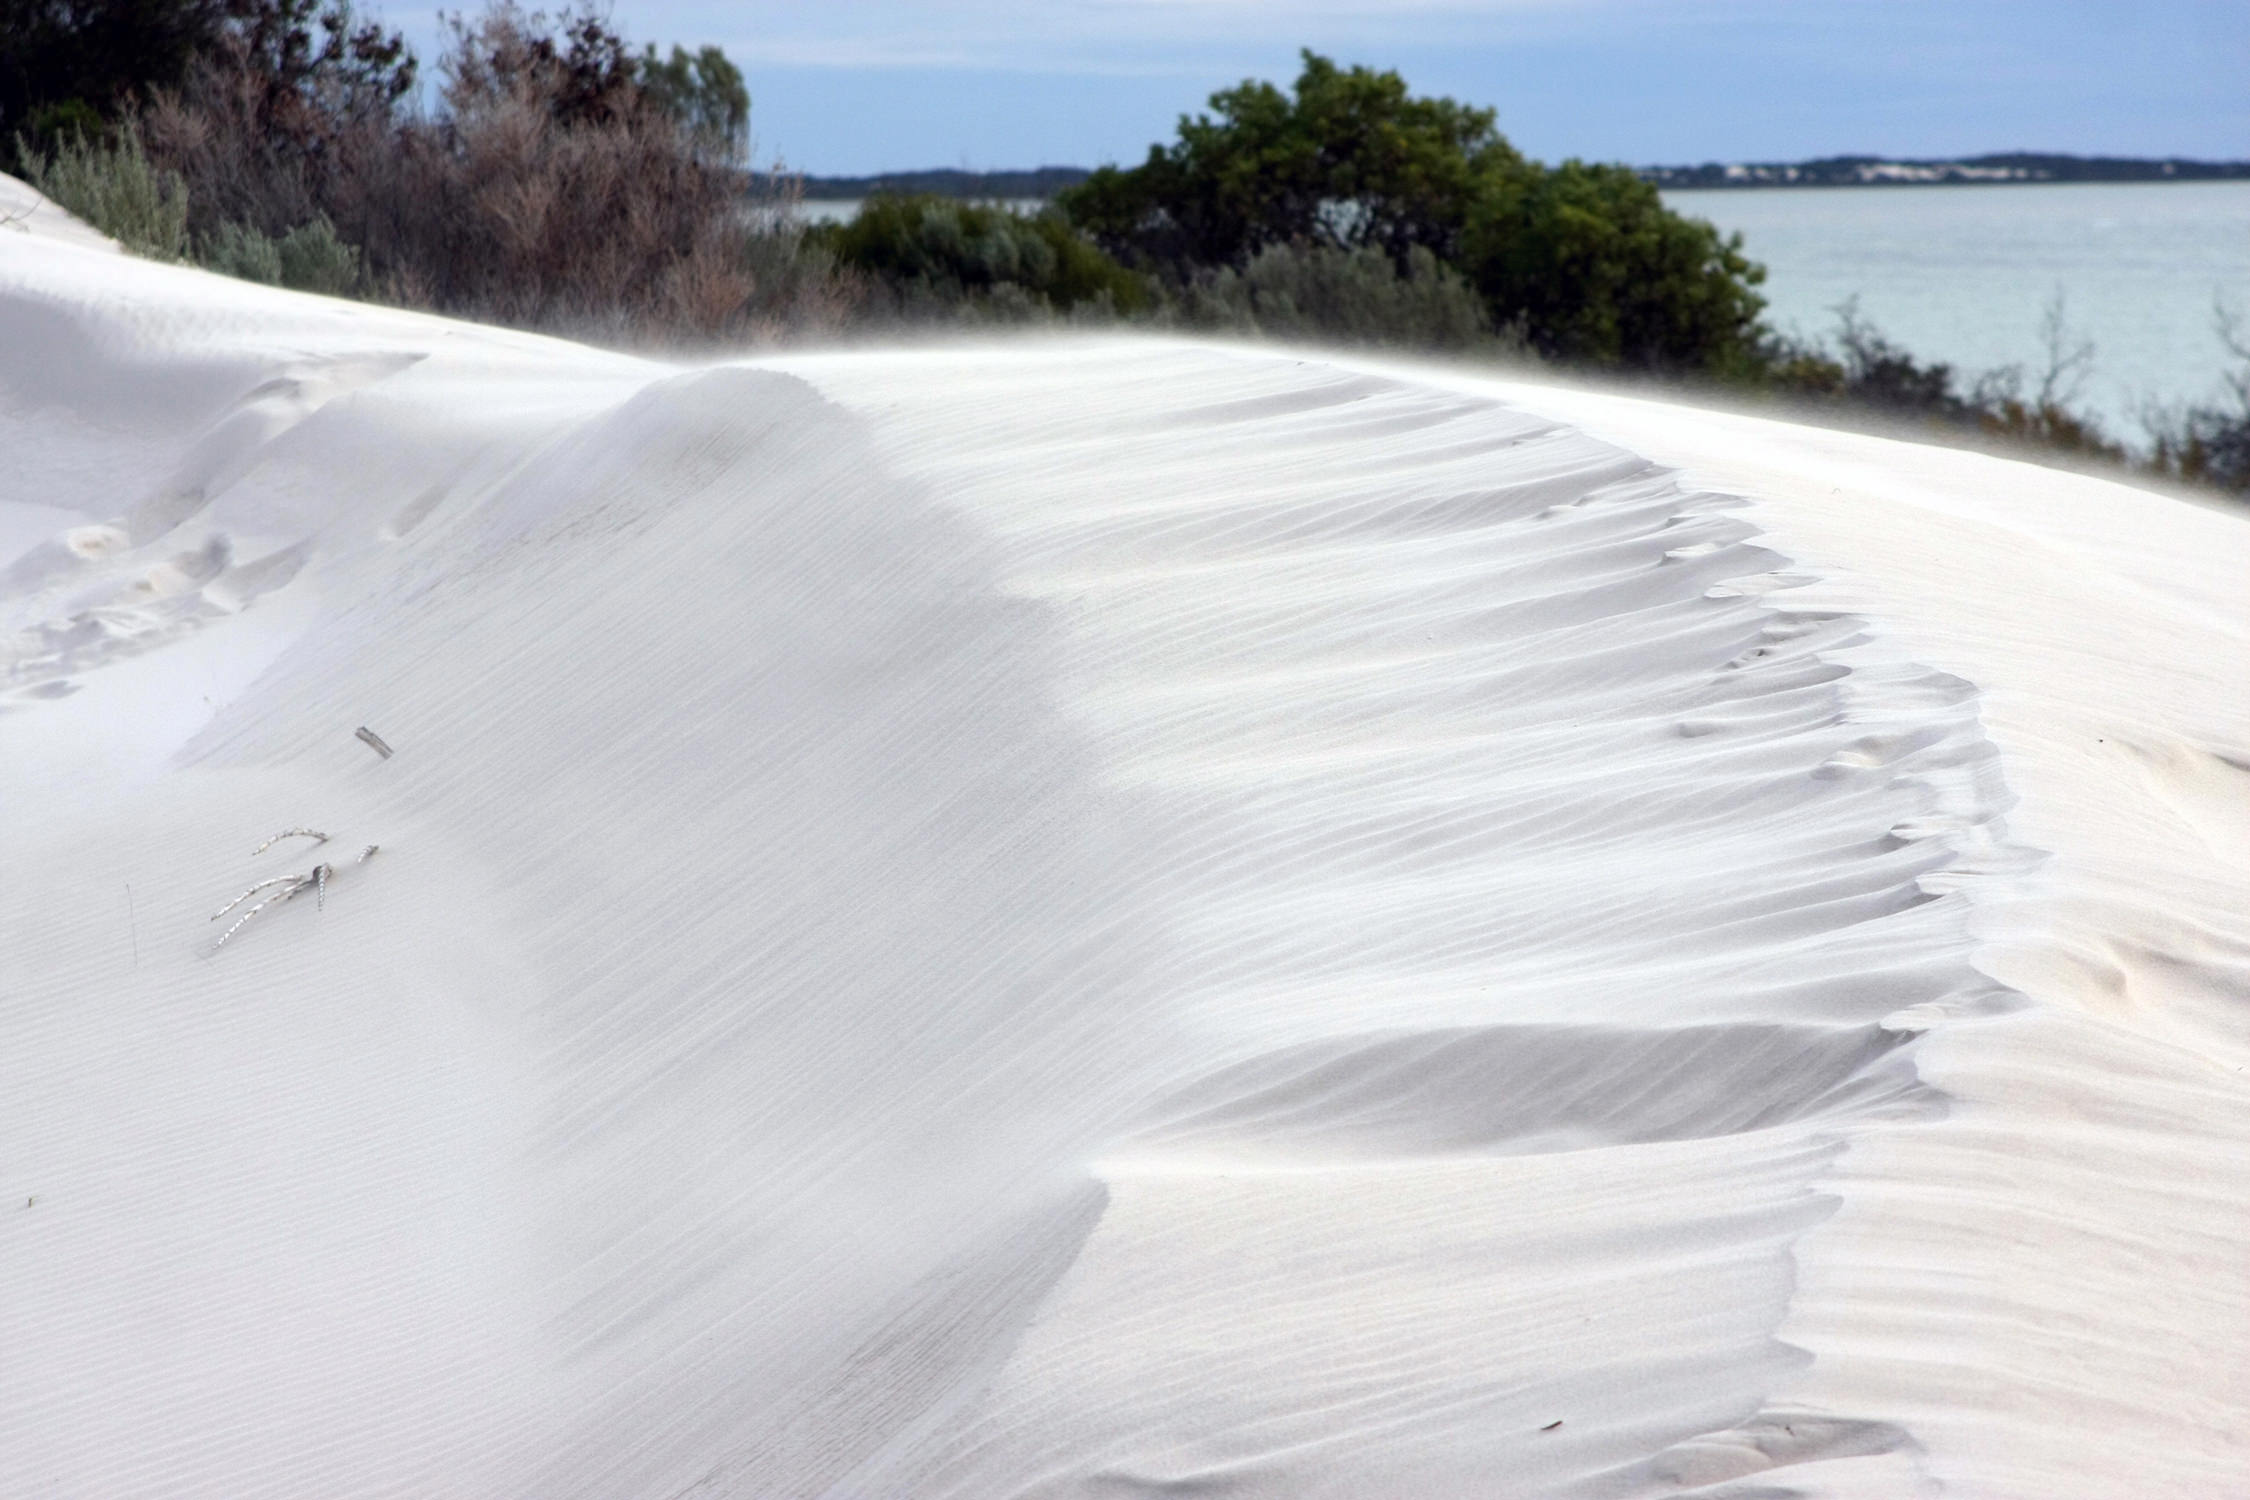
point(1961, 273)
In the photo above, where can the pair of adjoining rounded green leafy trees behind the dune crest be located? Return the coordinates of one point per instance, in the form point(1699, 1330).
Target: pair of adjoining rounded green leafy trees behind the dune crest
point(1585, 262)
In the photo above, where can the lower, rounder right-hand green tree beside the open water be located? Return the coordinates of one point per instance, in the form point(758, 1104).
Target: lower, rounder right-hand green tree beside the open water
point(1603, 273)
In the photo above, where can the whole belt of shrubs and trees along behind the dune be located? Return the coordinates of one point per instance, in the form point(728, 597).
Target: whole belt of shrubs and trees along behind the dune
point(559, 179)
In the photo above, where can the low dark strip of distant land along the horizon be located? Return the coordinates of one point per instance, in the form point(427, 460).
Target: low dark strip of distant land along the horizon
point(1826, 172)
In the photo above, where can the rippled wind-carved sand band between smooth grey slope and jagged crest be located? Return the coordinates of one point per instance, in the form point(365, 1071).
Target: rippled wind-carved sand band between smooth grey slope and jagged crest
point(1545, 865)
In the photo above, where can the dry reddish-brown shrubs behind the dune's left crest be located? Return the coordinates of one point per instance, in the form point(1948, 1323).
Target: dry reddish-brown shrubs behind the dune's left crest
point(550, 190)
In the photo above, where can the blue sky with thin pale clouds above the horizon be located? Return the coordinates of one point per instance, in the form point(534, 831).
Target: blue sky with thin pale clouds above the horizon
point(854, 87)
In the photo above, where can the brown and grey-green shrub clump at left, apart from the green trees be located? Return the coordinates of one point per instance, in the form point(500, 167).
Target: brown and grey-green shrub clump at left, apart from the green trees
point(561, 181)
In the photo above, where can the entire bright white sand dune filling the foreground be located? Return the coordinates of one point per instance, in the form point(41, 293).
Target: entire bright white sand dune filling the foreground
point(1092, 919)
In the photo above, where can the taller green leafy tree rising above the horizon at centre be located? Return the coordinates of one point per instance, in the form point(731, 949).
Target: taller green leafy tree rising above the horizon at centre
point(1344, 161)
